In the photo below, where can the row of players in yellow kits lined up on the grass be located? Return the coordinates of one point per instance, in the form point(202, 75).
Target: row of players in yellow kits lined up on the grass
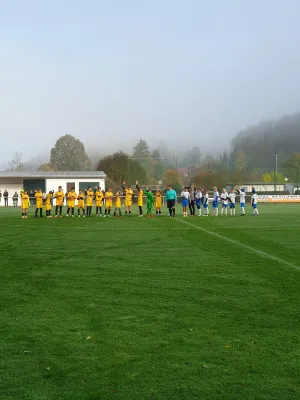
point(85, 201)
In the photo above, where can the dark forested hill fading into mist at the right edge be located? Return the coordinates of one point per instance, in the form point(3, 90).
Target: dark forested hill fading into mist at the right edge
point(257, 145)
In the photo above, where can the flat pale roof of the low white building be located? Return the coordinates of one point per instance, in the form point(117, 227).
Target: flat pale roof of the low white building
point(52, 174)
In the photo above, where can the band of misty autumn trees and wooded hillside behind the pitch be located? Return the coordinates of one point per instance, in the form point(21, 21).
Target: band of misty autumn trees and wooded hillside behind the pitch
point(251, 158)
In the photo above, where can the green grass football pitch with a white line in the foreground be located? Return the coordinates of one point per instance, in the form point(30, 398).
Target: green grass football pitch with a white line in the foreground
point(151, 309)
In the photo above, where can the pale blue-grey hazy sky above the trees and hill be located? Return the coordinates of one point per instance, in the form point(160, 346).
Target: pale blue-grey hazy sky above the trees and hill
point(110, 72)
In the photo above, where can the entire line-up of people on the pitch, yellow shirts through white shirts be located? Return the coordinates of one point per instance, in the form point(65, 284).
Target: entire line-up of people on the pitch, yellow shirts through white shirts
point(191, 198)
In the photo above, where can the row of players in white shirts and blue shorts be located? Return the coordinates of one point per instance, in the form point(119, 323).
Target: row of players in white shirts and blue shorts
point(192, 198)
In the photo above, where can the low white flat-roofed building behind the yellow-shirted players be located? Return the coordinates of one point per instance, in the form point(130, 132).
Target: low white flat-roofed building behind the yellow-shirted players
point(16, 181)
